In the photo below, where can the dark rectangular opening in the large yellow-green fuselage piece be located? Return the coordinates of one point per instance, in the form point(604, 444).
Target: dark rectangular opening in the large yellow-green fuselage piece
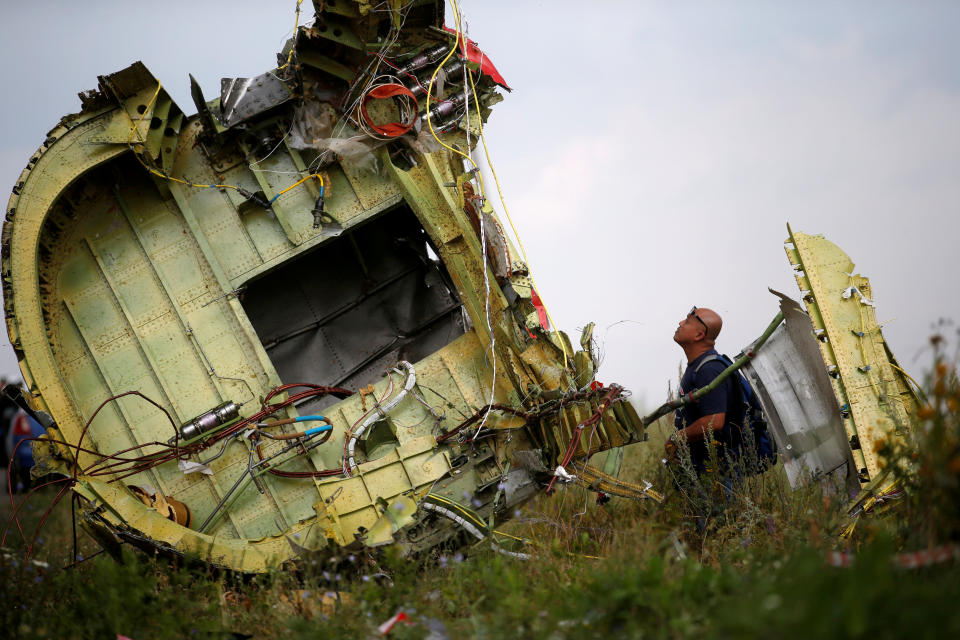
point(348, 311)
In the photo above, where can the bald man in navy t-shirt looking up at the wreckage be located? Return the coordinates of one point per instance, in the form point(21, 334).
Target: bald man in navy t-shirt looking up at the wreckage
point(717, 416)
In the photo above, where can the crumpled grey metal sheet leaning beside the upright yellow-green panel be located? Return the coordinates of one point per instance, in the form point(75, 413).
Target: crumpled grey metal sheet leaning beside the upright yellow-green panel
point(798, 400)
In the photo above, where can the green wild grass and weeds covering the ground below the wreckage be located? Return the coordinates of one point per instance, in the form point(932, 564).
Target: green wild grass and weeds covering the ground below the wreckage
point(625, 569)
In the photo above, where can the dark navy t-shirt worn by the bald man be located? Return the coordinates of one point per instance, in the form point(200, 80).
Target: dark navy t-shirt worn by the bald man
point(724, 399)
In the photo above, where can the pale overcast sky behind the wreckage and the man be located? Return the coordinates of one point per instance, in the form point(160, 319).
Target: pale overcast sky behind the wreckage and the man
point(651, 154)
